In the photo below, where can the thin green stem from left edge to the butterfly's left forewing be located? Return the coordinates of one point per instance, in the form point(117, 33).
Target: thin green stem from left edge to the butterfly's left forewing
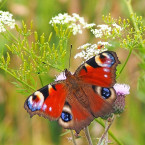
point(22, 82)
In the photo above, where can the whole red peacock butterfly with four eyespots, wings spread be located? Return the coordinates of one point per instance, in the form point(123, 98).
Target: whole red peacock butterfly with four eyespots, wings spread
point(79, 98)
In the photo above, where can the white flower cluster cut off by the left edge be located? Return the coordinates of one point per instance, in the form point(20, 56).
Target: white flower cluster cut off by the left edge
point(6, 20)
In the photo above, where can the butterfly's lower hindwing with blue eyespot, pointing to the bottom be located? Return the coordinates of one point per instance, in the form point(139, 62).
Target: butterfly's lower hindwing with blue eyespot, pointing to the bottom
point(80, 116)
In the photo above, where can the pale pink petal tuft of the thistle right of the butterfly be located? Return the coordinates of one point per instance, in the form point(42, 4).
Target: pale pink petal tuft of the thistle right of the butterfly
point(122, 89)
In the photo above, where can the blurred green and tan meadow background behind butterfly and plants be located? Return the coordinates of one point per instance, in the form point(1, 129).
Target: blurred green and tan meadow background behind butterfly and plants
point(17, 128)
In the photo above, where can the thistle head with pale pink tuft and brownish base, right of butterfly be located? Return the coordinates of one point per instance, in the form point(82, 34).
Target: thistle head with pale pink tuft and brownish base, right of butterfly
point(121, 91)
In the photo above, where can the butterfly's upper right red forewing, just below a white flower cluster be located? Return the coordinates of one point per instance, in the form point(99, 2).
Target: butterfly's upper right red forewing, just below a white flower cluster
point(99, 70)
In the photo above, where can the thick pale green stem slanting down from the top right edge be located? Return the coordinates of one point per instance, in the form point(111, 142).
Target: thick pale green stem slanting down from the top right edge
point(128, 4)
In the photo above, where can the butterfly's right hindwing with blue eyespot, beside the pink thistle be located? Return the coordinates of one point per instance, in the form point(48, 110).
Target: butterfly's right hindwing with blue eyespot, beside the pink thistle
point(100, 99)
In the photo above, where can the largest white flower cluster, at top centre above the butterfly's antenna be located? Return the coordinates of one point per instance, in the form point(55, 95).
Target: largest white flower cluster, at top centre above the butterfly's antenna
point(74, 22)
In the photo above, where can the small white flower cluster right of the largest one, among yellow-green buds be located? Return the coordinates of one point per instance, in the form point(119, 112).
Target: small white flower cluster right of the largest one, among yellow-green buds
point(105, 30)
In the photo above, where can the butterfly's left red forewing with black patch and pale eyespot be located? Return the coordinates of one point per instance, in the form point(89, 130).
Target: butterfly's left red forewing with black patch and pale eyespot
point(48, 101)
